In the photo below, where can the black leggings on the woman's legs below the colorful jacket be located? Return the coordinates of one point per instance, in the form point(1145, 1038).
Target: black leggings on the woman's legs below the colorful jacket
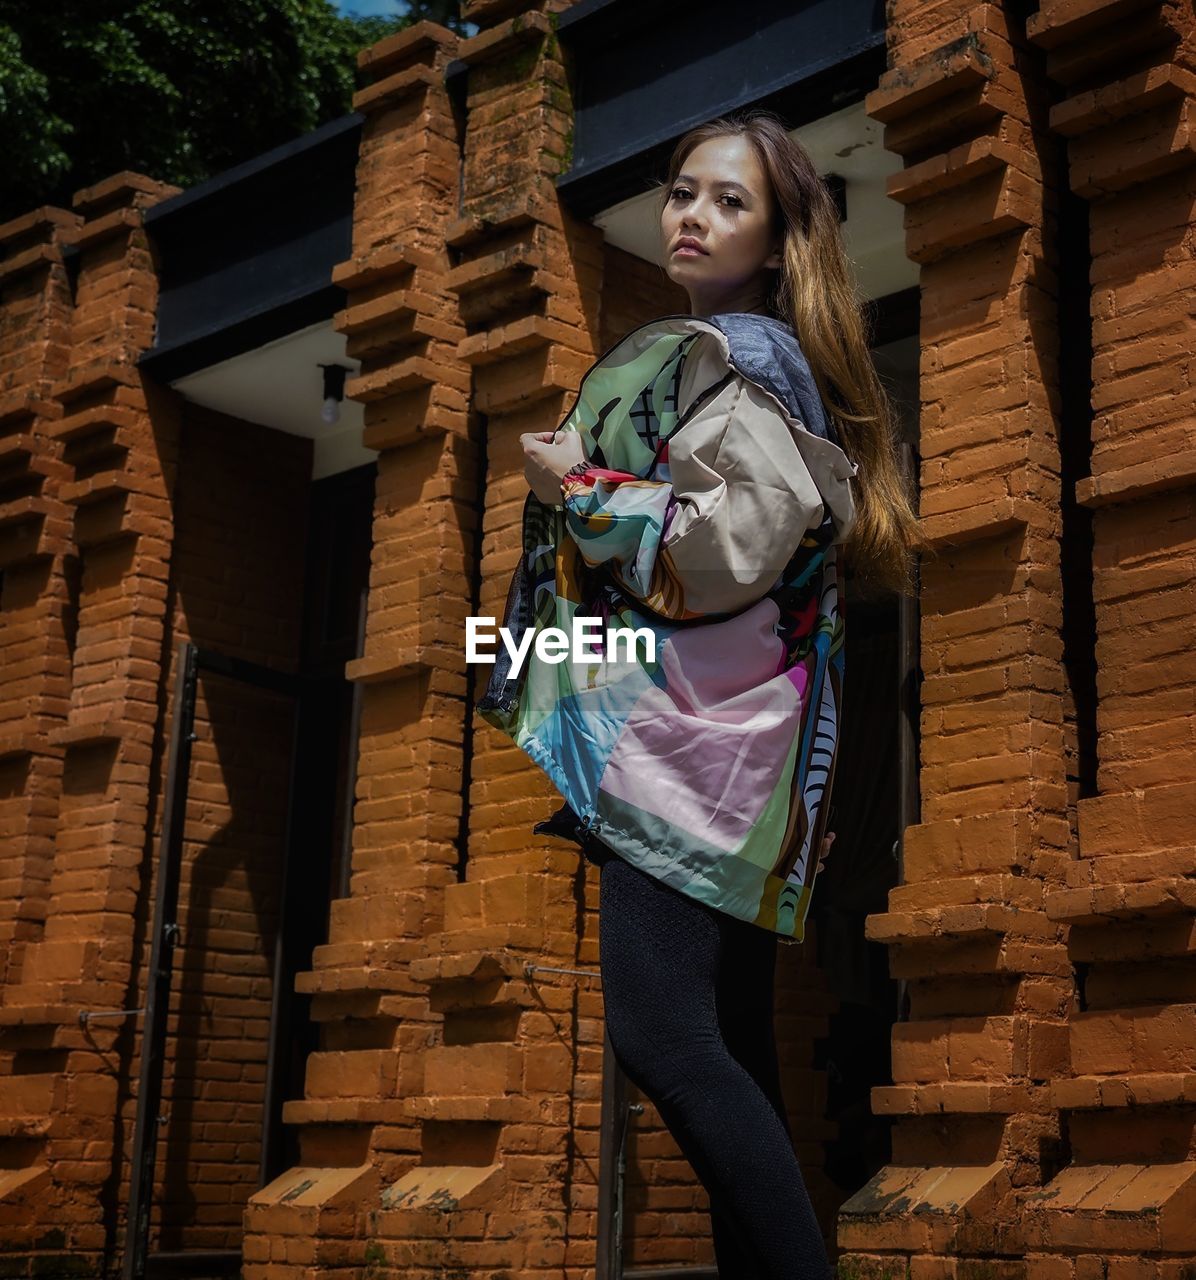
point(688, 994)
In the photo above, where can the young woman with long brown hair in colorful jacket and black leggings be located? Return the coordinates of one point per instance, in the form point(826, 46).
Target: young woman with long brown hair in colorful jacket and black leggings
point(702, 488)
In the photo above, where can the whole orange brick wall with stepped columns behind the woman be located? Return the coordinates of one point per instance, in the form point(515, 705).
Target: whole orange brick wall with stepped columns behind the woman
point(450, 1117)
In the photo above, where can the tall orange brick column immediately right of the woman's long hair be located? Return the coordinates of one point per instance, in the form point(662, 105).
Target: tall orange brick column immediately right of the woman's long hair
point(988, 971)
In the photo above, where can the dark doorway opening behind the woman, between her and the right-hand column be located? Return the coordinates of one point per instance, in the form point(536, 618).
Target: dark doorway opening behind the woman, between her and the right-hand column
point(875, 798)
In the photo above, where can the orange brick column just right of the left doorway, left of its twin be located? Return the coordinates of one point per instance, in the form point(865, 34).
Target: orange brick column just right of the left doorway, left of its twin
point(363, 1114)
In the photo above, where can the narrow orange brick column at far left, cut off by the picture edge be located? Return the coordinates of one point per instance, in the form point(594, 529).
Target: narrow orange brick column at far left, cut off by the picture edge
point(38, 561)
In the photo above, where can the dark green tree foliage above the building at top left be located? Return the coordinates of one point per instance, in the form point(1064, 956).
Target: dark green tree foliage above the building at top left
point(179, 90)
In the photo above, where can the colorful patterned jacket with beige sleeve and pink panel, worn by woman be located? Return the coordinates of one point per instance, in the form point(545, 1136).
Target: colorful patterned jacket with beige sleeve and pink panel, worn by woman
point(710, 511)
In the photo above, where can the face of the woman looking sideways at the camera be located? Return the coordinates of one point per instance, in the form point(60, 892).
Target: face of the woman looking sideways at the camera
point(723, 200)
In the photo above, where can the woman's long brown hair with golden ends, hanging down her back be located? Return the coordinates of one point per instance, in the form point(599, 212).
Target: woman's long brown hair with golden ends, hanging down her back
point(815, 294)
